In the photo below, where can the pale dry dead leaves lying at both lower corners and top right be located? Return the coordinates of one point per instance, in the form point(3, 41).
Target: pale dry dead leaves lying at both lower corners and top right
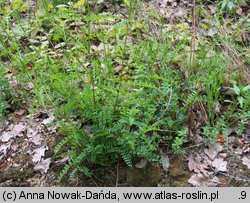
point(38, 138)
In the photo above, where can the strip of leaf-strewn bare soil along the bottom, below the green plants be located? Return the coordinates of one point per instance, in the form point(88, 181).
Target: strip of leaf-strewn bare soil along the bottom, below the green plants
point(31, 141)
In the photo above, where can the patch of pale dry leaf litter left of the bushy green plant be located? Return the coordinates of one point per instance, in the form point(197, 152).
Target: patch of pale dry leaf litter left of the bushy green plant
point(24, 140)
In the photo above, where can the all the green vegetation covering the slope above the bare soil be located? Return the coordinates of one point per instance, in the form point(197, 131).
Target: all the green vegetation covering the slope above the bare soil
point(123, 80)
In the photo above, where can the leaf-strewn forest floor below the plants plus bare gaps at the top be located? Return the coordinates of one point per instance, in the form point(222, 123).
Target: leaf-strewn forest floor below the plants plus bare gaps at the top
point(28, 138)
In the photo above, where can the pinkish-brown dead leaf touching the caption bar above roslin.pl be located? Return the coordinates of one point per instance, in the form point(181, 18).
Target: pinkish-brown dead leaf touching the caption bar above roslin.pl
point(199, 180)
